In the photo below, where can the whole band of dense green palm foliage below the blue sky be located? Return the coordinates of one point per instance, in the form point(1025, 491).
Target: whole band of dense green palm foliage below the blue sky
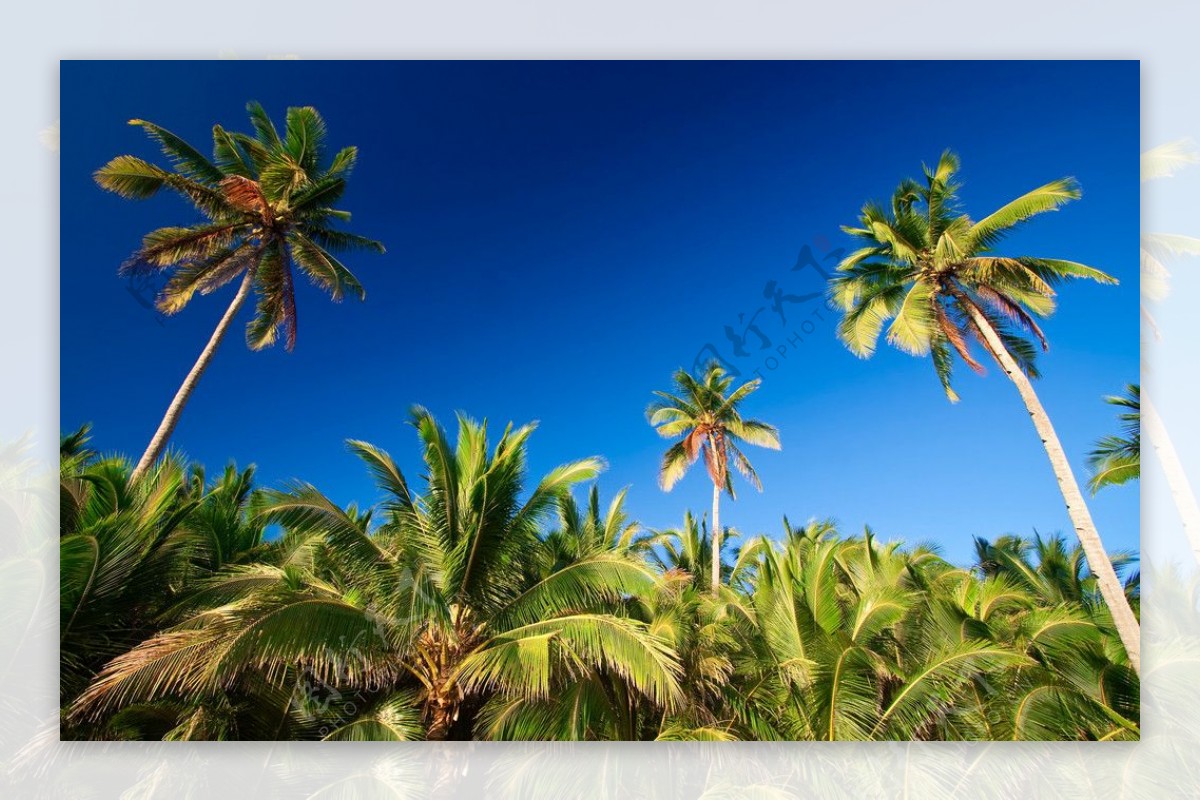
point(478, 604)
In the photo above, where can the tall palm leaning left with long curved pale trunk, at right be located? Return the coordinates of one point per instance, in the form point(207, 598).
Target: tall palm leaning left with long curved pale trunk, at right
point(932, 270)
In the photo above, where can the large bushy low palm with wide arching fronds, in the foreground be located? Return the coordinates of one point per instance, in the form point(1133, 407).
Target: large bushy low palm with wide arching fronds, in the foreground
point(436, 611)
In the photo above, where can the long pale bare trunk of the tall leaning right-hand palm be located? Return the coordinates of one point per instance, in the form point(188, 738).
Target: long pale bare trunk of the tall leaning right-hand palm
point(1112, 589)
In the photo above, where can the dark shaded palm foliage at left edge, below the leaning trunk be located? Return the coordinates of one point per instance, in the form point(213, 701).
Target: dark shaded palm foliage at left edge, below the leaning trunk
point(129, 550)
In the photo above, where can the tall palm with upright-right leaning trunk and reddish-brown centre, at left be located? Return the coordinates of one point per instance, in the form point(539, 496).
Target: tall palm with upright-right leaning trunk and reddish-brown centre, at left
point(269, 204)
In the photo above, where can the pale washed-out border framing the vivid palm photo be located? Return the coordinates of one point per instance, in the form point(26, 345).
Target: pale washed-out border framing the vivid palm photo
point(34, 764)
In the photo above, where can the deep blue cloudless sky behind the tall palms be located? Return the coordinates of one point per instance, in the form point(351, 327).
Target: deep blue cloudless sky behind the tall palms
point(563, 236)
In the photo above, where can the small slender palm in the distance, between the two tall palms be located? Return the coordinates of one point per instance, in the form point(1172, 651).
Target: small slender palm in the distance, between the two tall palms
point(705, 414)
